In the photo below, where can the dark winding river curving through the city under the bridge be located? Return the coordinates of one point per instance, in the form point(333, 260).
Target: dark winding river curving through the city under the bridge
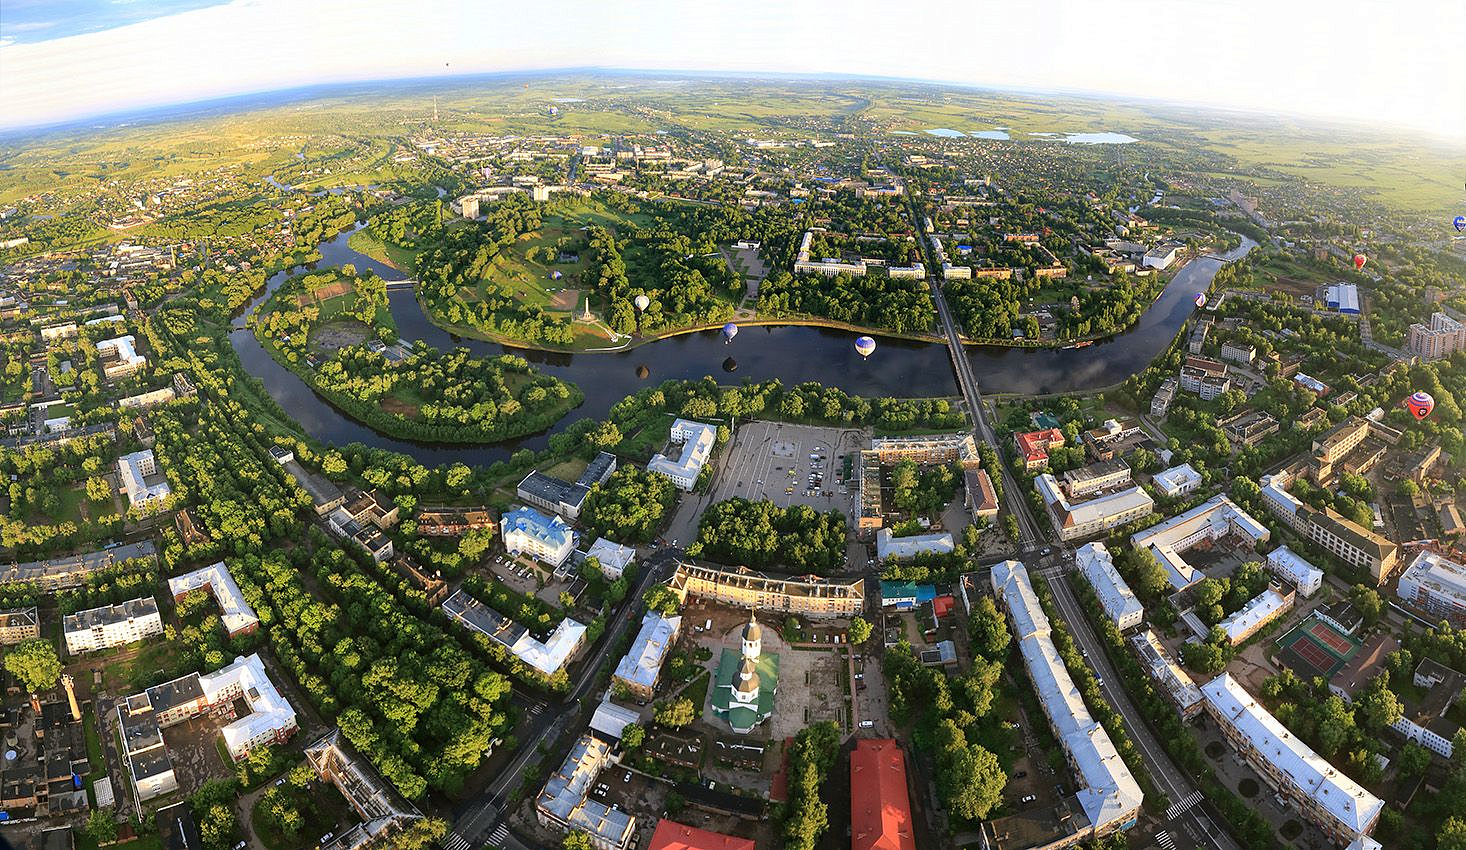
point(789, 354)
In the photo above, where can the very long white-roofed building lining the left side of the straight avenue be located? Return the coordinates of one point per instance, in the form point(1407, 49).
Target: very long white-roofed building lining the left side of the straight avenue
point(1109, 795)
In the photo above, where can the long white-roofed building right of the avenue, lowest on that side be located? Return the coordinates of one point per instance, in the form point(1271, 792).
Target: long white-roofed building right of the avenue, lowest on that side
point(1323, 795)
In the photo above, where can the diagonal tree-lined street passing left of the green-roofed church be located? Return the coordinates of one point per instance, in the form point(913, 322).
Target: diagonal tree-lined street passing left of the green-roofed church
point(480, 820)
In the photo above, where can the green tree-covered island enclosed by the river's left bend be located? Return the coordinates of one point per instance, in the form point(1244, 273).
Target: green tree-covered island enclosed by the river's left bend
point(334, 329)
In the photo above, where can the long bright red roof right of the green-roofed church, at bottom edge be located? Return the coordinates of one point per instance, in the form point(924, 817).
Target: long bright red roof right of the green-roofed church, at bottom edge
point(880, 808)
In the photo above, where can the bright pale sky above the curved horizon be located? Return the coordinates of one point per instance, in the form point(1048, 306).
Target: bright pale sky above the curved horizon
point(1395, 64)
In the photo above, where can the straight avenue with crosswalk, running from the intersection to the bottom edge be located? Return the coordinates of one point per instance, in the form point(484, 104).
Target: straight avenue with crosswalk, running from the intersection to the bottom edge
point(1197, 821)
